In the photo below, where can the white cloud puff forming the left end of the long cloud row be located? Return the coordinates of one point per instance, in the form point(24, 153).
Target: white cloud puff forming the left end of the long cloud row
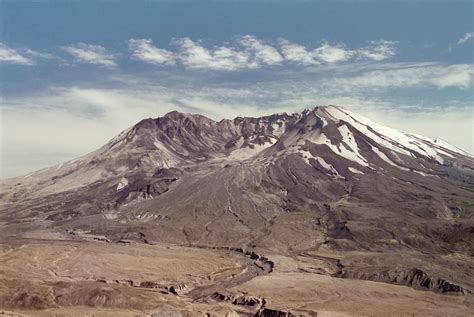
point(143, 49)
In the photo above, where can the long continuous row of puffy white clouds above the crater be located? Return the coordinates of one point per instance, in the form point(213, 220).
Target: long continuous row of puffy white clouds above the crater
point(248, 52)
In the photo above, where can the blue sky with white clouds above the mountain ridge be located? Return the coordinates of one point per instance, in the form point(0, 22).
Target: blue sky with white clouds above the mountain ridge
point(73, 74)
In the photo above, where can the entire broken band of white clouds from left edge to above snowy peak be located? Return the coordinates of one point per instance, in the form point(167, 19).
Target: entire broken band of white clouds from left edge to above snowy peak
point(245, 52)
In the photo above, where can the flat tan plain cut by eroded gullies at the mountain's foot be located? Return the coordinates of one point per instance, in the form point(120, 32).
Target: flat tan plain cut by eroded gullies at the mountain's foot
point(71, 278)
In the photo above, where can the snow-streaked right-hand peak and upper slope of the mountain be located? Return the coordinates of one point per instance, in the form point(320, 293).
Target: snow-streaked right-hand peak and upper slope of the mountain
point(342, 143)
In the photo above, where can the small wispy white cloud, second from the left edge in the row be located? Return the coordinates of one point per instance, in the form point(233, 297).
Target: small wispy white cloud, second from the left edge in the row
point(91, 54)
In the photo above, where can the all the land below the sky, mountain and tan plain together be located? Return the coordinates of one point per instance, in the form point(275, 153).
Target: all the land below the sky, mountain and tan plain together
point(321, 213)
